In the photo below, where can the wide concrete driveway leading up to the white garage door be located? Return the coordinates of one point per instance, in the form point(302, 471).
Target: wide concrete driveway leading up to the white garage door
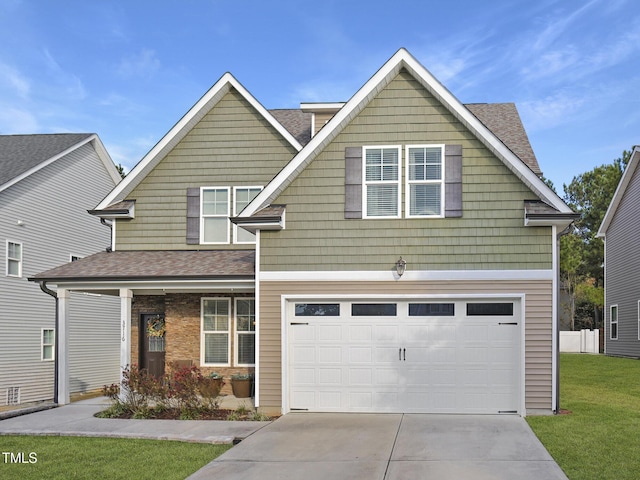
point(388, 446)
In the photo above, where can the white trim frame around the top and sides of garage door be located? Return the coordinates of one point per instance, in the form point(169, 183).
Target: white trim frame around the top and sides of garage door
point(284, 346)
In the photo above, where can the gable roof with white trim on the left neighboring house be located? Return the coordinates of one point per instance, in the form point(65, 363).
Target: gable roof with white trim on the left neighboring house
point(23, 155)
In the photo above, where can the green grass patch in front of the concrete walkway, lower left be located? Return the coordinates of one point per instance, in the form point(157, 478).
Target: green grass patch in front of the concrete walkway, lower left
point(103, 458)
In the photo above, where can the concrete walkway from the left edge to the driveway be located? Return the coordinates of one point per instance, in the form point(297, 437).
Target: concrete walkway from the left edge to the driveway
point(77, 419)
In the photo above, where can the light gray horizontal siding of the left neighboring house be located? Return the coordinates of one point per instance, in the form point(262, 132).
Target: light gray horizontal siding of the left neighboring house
point(52, 203)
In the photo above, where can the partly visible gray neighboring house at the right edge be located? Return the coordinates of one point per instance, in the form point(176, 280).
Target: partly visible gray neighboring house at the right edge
point(620, 230)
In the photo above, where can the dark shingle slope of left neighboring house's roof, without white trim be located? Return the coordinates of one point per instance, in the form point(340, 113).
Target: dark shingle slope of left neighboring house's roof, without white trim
point(21, 153)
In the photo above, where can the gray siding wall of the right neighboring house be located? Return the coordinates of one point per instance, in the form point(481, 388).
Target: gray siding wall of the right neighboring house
point(623, 272)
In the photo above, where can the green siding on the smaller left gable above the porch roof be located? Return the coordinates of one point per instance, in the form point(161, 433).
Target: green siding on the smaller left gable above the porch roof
point(231, 146)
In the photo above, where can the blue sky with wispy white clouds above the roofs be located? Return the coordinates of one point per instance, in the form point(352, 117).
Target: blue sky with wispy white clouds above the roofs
point(129, 70)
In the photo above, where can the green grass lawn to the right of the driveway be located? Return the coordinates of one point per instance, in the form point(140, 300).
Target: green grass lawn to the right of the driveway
point(600, 438)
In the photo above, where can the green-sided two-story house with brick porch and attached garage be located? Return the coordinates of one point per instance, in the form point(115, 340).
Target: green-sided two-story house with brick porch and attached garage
point(394, 253)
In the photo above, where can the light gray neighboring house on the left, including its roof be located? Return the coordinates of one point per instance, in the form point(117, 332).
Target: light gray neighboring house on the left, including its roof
point(47, 183)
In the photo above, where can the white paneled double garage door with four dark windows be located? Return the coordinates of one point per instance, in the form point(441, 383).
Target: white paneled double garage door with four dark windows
point(411, 356)
